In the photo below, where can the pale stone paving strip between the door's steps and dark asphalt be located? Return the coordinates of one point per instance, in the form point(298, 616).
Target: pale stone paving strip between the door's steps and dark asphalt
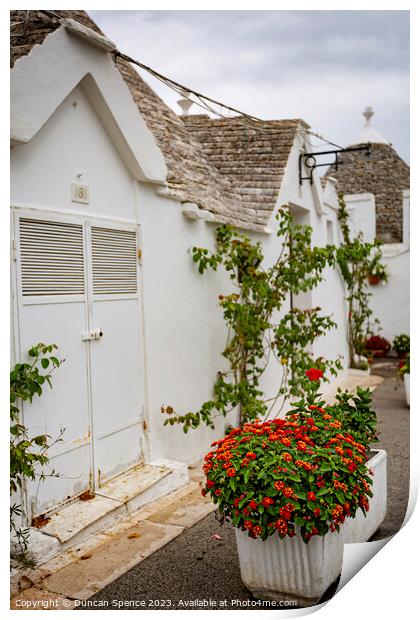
point(82, 570)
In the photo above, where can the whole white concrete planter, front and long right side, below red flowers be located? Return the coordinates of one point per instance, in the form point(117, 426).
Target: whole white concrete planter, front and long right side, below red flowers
point(289, 570)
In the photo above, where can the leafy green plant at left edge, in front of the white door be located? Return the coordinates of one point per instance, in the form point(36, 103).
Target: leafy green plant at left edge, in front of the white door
point(27, 453)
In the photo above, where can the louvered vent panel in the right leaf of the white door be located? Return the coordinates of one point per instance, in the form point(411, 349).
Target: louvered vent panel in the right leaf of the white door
point(114, 261)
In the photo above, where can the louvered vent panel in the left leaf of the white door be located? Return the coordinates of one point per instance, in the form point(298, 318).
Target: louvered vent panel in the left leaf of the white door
point(51, 258)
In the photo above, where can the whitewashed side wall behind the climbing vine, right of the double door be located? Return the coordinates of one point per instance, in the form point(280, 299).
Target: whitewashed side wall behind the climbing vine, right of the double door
point(184, 327)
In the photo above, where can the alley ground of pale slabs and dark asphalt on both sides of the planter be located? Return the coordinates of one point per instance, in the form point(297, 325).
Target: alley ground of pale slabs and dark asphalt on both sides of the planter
point(168, 553)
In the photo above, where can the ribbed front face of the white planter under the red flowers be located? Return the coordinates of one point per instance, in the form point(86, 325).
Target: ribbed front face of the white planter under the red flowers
point(288, 569)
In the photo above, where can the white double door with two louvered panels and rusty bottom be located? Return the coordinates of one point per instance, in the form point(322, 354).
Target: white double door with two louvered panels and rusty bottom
point(78, 287)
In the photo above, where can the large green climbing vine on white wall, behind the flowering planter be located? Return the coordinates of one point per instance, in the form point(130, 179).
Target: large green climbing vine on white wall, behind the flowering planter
point(252, 315)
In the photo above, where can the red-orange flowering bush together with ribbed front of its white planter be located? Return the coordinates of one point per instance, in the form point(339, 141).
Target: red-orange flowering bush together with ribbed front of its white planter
point(287, 485)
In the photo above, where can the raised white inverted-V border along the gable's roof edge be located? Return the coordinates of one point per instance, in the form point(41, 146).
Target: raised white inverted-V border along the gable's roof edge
point(43, 79)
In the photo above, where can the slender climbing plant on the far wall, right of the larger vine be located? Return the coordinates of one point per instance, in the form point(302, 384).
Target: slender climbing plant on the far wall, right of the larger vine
point(354, 257)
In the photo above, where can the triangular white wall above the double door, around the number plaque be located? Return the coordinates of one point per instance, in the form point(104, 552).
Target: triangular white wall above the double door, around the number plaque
point(72, 148)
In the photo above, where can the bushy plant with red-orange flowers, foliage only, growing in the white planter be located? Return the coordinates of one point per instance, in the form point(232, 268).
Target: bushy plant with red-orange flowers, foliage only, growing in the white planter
point(304, 473)
